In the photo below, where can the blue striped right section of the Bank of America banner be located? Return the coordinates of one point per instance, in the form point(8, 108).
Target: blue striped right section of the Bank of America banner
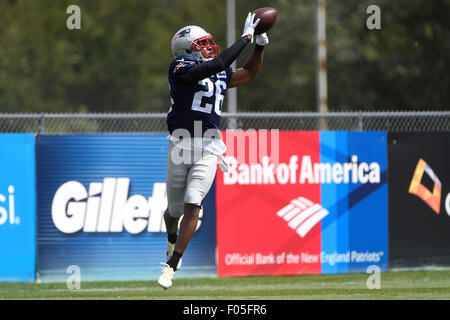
point(355, 232)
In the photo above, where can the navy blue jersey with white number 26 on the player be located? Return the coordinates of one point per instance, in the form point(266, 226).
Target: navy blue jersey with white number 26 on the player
point(197, 101)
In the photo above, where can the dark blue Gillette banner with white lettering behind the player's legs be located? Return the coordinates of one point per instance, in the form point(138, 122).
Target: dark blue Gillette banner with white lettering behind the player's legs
point(101, 200)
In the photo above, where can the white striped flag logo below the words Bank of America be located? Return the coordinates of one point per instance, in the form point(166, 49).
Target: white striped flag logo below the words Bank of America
point(302, 215)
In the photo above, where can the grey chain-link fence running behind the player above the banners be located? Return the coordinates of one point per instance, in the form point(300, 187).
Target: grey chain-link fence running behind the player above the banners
point(156, 122)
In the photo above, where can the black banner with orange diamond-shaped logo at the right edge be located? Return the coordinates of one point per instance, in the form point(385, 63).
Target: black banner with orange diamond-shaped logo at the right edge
point(419, 199)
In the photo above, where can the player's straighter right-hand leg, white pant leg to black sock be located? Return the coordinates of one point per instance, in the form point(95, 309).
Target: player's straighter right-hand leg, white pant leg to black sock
point(200, 178)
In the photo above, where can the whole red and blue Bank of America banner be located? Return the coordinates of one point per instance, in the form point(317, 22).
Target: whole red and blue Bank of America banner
point(302, 202)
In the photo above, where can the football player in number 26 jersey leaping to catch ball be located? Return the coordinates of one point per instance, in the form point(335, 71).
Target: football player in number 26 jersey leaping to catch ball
point(198, 79)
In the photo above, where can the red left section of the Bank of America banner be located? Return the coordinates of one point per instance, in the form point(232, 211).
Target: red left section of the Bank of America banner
point(253, 236)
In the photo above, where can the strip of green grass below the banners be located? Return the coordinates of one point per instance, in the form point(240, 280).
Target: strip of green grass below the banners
point(423, 285)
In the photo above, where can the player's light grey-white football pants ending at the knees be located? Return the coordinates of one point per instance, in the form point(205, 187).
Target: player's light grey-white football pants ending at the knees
point(189, 181)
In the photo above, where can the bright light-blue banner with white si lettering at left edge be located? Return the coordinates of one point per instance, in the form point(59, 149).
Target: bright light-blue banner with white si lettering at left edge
point(17, 208)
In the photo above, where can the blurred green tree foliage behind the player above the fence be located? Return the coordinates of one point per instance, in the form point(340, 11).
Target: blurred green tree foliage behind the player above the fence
point(118, 61)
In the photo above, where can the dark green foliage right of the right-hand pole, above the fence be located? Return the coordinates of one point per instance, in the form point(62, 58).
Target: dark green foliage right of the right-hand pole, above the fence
point(405, 65)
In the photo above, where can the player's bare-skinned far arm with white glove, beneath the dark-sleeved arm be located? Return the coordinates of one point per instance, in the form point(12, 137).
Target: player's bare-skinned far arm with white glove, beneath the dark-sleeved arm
point(251, 68)
